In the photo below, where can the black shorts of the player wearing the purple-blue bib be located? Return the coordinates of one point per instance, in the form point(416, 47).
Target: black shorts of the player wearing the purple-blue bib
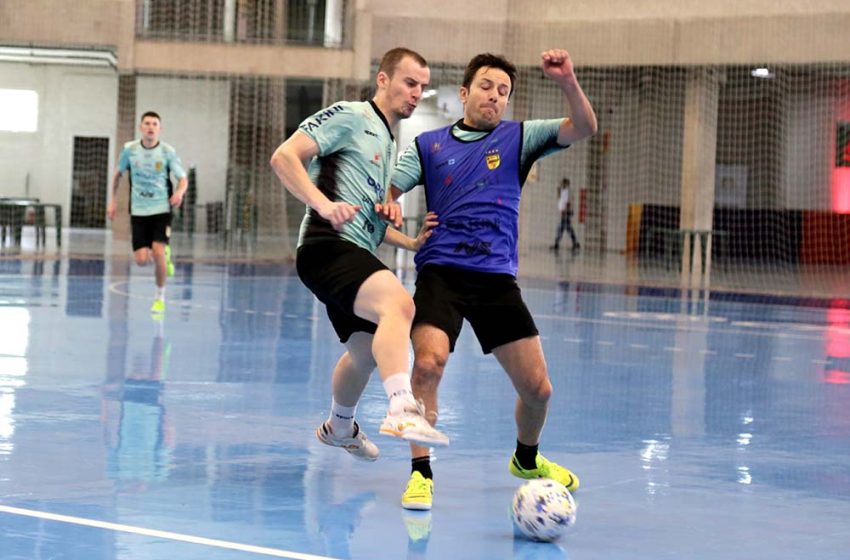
point(492, 303)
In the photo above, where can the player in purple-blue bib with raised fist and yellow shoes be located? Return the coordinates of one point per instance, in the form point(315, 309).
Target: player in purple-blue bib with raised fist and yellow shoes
point(473, 172)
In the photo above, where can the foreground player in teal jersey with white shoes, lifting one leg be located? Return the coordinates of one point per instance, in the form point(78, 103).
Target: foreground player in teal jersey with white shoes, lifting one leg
point(339, 163)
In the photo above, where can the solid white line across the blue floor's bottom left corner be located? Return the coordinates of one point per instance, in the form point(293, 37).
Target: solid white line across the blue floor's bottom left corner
point(161, 534)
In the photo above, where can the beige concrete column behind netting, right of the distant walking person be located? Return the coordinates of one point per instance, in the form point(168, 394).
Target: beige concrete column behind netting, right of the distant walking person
point(698, 164)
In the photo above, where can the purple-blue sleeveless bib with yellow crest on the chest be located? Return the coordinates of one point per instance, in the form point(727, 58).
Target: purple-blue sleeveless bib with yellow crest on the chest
point(474, 187)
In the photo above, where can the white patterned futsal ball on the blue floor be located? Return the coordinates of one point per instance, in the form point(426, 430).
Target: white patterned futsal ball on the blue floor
point(543, 509)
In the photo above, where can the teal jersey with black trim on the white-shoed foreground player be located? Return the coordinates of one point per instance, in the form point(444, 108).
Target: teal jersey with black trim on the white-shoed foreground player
point(357, 153)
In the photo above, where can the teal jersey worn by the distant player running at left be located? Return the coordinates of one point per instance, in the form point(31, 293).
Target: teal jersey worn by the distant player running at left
point(150, 186)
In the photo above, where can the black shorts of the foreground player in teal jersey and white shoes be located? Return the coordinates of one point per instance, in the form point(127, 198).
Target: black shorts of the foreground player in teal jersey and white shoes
point(334, 272)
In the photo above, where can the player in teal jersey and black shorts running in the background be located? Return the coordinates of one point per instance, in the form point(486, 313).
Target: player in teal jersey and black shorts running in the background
point(150, 164)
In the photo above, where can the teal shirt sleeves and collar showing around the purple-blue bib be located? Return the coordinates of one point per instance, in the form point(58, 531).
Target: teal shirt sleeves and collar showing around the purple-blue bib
point(538, 141)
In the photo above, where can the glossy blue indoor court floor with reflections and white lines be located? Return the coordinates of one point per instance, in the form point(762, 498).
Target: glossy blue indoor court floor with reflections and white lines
point(714, 428)
